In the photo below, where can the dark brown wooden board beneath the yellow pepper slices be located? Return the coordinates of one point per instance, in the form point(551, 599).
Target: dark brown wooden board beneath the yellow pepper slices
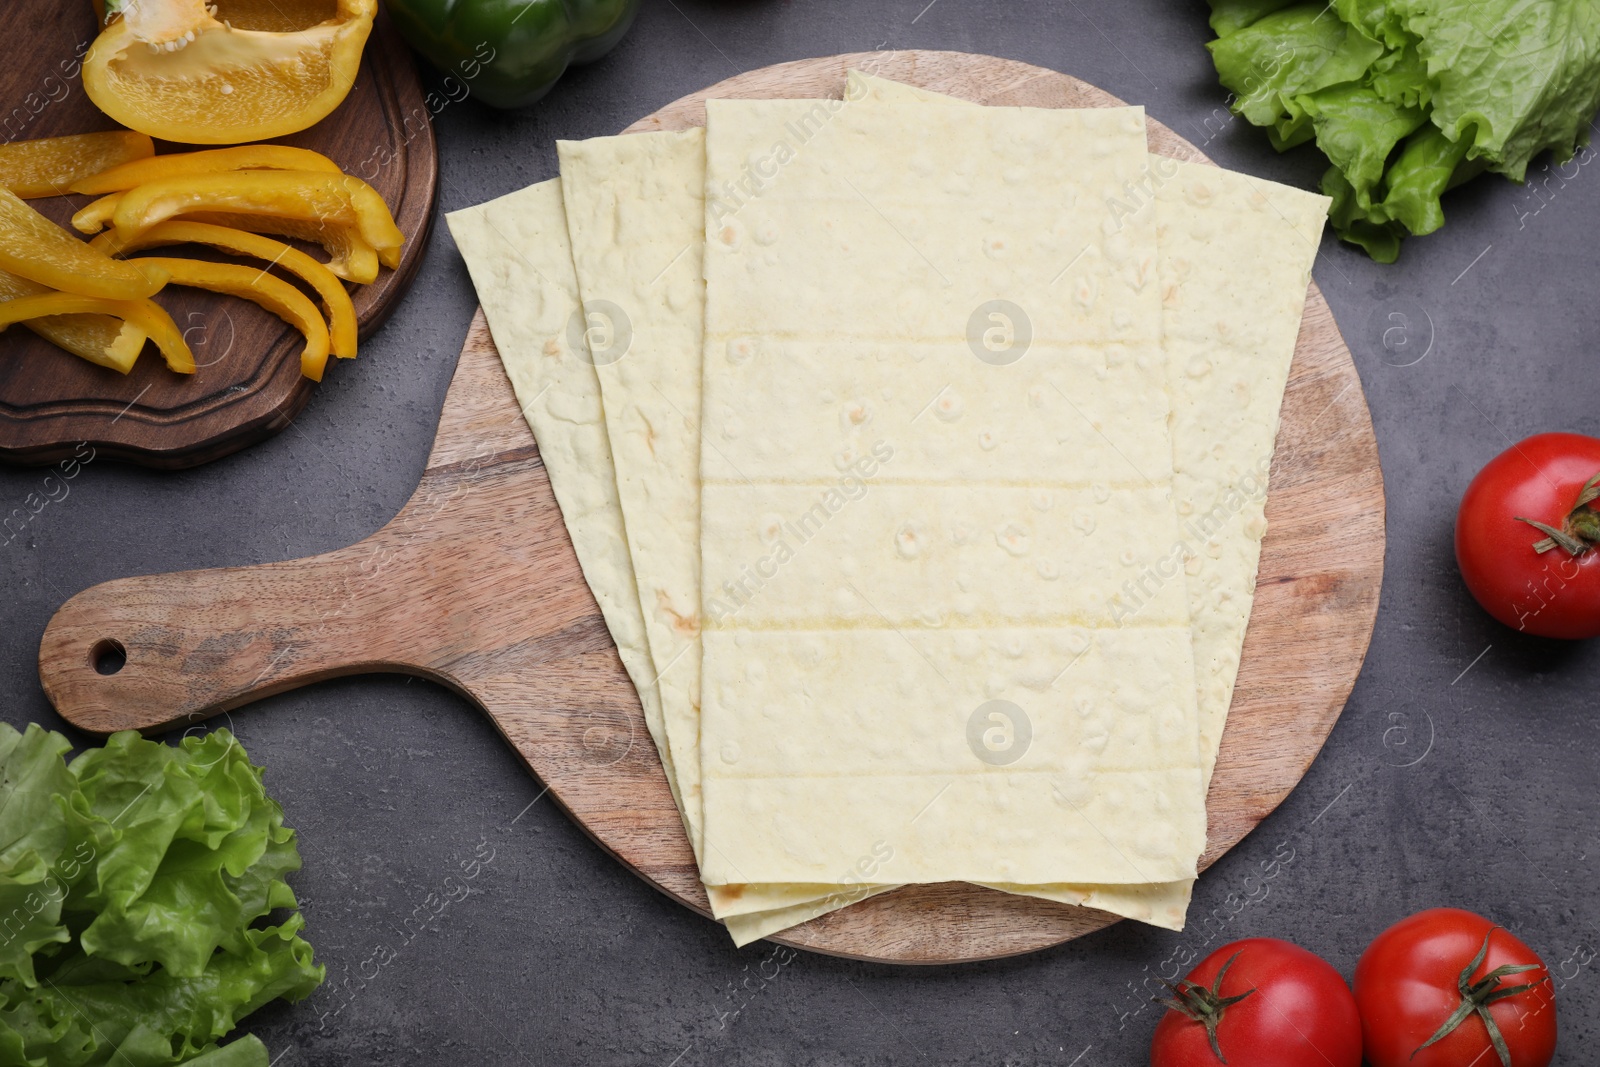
point(249, 385)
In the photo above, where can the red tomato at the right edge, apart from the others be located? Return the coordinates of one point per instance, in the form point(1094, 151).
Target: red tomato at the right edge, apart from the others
point(1554, 593)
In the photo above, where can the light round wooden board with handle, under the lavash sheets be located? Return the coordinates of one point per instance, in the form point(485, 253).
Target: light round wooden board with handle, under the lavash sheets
point(476, 585)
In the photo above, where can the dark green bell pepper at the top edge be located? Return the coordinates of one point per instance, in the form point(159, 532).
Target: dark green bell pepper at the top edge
point(511, 52)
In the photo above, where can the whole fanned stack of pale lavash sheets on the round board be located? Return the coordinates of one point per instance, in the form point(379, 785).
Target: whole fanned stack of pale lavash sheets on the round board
point(916, 454)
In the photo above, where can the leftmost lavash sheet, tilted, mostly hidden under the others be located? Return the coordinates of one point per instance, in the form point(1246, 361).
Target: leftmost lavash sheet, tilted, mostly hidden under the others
point(521, 263)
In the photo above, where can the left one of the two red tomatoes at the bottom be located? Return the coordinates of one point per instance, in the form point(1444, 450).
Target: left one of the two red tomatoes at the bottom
point(1260, 1002)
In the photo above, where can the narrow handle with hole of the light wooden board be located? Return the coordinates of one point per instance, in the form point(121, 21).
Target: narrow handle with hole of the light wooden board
point(202, 642)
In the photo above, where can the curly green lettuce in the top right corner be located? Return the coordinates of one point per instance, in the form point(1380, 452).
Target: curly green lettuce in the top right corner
point(1409, 98)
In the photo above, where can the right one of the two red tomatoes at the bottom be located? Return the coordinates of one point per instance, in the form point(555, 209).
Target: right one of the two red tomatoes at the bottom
point(1423, 970)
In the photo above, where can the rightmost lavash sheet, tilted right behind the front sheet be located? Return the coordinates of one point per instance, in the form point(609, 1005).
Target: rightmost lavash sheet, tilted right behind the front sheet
point(1236, 258)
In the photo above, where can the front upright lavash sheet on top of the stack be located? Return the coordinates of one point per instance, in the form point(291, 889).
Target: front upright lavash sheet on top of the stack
point(929, 581)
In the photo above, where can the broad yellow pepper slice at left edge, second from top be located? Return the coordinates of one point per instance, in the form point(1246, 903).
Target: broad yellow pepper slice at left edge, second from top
point(42, 252)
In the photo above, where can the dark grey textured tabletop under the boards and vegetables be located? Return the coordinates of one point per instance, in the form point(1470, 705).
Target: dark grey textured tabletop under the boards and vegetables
point(1462, 773)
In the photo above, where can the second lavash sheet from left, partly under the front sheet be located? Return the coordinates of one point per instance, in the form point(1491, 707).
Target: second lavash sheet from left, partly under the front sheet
point(633, 218)
